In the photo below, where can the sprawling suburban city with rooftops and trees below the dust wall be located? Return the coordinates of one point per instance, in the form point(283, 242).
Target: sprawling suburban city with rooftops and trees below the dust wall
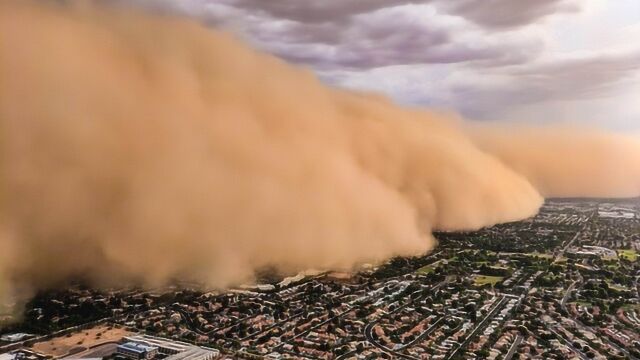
point(561, 285)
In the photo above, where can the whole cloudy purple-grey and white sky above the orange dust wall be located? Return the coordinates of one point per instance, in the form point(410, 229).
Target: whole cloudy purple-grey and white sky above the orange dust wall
point(542, 61)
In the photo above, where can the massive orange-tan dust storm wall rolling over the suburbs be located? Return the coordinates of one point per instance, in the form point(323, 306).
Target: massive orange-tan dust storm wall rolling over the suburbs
point(141, 148)
